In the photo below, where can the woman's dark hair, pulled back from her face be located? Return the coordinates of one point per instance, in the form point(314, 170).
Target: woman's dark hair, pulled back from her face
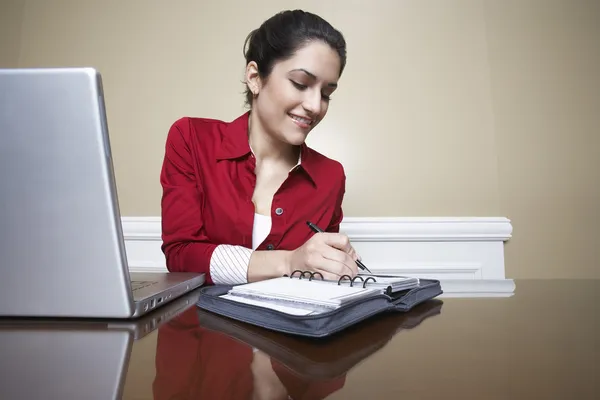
point(281, 35)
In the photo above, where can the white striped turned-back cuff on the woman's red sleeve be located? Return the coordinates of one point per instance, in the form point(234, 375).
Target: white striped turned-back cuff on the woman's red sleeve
point(229, 264)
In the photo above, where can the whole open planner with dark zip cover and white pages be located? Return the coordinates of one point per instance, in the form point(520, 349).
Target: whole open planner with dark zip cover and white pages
point(304, 304)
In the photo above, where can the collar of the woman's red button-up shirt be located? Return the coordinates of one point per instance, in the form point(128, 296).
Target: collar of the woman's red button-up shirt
point(235, 145)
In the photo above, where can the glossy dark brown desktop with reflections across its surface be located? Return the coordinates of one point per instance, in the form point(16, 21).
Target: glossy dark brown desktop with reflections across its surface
point(541, 343)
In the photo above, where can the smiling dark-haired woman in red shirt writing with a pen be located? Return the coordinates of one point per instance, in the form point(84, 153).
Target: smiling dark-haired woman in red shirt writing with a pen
point(237, 195)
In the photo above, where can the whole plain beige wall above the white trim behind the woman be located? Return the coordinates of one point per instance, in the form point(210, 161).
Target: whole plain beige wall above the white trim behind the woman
point(456, 108)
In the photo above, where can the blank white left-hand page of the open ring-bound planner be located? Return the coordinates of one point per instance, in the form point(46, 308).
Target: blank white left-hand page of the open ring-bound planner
point(303, 291)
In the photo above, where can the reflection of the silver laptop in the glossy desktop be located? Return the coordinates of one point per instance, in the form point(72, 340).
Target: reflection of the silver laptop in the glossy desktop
point(76, 359)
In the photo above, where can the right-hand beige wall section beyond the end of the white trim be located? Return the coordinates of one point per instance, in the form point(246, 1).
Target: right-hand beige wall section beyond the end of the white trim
point(544, 60)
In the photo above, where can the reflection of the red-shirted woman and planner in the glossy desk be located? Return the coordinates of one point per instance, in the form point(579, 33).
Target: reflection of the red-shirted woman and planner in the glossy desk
point(202, 354)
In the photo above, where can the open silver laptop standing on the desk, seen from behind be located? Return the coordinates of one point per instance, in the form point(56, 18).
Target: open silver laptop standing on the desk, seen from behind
point(62, 252)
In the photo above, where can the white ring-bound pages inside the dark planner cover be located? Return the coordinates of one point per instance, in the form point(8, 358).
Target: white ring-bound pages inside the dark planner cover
point(308, 294)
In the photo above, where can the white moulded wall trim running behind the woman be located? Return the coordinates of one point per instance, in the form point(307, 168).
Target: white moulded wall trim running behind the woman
point(466, 254)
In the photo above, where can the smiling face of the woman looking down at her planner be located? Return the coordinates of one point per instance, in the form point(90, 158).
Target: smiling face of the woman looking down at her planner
point(295, 96)
